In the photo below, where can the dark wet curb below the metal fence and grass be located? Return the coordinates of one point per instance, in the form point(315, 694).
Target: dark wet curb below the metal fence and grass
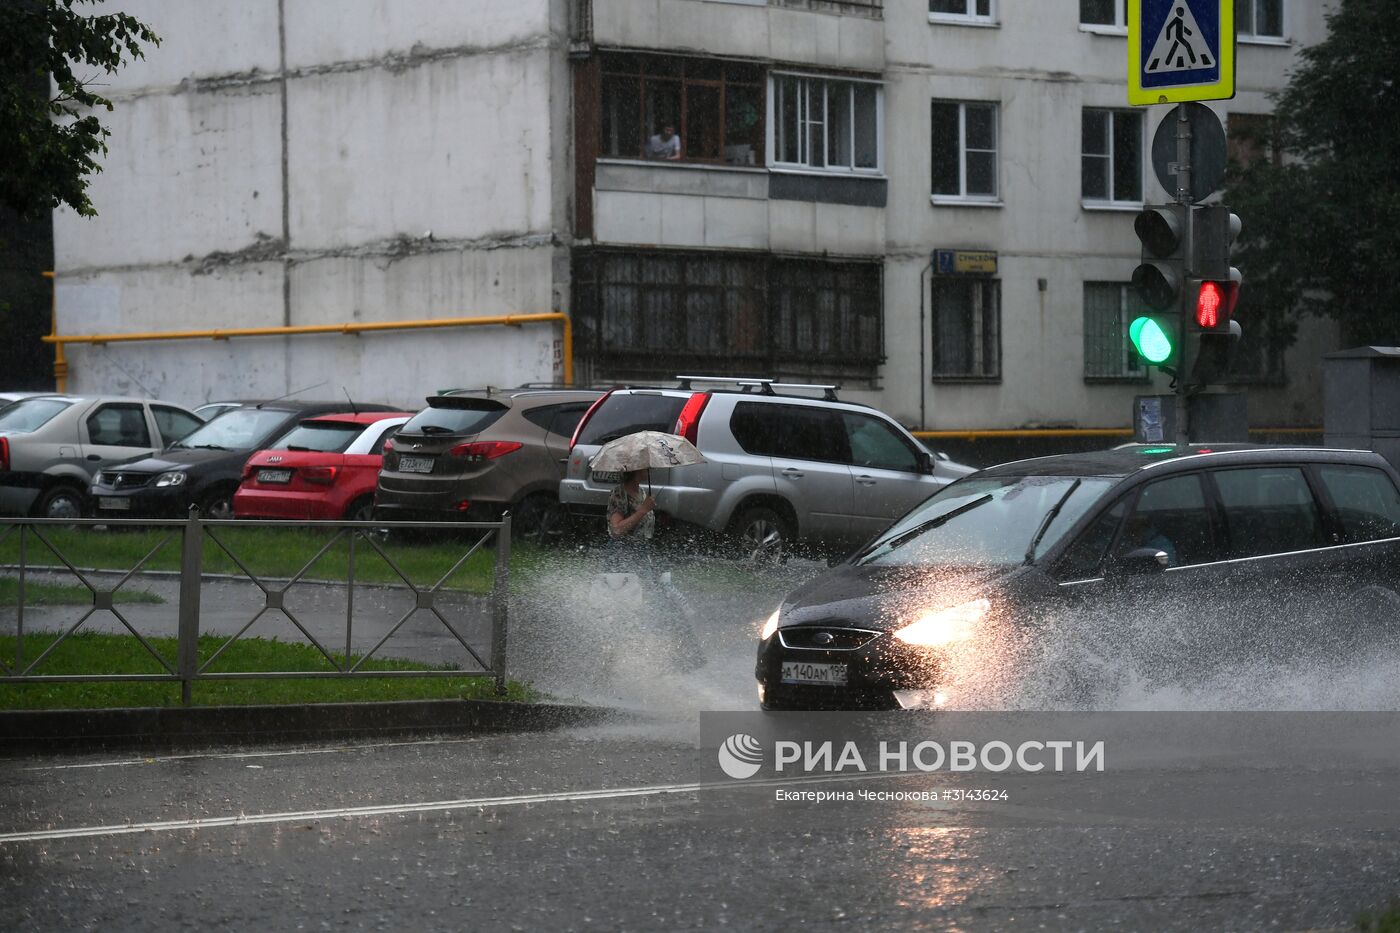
point(201, 726)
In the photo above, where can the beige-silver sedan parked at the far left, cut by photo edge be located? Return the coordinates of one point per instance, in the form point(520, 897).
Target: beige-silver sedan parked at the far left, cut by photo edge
point(51, 448)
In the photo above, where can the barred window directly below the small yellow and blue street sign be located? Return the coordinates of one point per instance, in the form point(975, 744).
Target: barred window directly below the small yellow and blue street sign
point(967, 329)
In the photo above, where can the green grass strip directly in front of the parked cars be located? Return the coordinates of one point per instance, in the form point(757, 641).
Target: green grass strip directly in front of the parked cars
point(268, 553)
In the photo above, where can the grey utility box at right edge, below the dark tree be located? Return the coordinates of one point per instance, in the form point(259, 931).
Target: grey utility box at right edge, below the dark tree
point(1361, 400)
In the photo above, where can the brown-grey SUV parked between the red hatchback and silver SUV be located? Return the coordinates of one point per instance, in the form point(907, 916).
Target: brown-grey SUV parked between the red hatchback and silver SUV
point(472, 455)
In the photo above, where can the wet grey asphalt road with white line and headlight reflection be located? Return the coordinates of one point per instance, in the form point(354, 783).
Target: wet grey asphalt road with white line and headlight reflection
point(611, 829)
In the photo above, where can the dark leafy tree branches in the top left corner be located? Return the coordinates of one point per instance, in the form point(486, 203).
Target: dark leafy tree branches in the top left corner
point(50, 144)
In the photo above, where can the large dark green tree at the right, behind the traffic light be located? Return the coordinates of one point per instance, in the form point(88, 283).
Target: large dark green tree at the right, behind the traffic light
point(1322, 218)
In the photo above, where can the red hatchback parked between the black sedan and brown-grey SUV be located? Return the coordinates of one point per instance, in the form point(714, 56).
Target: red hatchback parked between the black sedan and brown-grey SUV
point(325, 467)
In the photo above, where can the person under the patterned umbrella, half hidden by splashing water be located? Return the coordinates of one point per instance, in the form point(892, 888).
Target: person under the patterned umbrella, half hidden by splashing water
point(632, 525)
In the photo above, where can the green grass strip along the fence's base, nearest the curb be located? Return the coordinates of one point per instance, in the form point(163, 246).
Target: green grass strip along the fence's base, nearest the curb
point(97, 654)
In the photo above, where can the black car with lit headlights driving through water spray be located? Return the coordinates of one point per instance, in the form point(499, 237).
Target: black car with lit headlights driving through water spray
point(1224, 554)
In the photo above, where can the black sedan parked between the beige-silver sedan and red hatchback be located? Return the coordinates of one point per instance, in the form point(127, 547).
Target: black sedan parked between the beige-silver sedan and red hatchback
point(206, 467)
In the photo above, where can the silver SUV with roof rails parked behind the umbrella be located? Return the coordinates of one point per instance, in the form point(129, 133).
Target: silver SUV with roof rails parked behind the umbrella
point(783, 466)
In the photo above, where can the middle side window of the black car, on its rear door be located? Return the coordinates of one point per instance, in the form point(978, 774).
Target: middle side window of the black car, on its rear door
point(1269, 511)
